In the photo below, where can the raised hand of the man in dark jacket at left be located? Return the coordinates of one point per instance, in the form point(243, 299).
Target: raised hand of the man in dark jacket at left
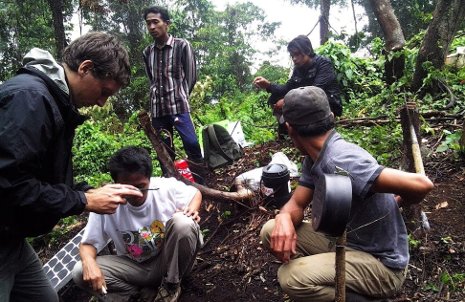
point(105, 200)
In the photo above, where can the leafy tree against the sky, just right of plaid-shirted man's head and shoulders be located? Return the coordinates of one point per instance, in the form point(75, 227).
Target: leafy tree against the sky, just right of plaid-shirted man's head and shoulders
point(225, 44)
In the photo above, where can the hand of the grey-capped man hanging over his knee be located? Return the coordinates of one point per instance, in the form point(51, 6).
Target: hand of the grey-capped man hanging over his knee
point(283, 238)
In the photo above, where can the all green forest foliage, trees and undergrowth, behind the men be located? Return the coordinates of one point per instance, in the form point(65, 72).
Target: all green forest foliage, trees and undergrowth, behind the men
point(224, 42)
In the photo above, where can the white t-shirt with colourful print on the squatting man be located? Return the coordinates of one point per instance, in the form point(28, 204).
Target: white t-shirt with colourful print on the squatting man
point(138, 232)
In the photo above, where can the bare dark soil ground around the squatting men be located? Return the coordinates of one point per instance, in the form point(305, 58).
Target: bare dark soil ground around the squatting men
point(233, 266)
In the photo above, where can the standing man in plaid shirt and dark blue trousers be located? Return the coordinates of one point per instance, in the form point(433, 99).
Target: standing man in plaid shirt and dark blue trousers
point(170, 66)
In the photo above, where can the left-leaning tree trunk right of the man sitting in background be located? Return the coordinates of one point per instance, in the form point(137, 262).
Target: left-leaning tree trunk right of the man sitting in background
point(395, 41)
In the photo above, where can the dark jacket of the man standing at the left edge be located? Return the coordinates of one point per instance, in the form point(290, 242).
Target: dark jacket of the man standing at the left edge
point(37, 124)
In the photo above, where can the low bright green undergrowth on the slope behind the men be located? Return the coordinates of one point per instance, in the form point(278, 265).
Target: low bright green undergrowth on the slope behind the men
point(365, 95)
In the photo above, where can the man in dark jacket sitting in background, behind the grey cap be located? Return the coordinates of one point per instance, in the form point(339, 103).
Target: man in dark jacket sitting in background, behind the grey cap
point(310, 70)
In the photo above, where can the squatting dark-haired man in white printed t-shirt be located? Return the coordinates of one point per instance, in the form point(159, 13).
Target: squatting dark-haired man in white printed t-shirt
point(156, 236)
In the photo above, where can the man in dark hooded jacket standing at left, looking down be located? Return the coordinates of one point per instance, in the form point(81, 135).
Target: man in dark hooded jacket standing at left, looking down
point(38, 117)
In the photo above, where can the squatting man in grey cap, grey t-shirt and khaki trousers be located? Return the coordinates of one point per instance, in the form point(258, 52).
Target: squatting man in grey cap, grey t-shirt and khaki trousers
point(377, 245)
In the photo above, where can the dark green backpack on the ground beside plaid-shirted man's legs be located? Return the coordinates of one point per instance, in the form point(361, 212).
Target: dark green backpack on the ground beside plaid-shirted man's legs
point(219, 147)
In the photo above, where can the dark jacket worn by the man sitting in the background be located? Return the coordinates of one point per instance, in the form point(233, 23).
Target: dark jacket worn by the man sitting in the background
point(319, 73)
